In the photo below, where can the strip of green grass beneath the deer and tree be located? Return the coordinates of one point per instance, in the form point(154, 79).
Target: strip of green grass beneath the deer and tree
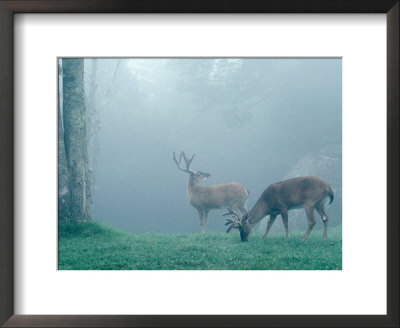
point(93, 246)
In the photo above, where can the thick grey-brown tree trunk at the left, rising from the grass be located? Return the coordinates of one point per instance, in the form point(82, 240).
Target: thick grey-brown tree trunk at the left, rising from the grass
point(75, 140)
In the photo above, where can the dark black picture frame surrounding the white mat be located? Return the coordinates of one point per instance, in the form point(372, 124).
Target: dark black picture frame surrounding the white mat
point(10, 7)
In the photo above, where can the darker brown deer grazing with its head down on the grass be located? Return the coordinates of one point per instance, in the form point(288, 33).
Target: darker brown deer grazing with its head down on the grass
point(309, 192)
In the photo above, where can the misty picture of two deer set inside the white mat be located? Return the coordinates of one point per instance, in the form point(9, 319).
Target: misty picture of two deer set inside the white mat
point(141, 139)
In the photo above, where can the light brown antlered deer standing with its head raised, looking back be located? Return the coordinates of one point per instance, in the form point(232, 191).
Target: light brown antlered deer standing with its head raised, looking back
point(205, 198)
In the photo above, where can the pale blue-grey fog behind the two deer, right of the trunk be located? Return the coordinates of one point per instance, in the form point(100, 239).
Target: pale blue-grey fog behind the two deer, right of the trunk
point(249, 120)
